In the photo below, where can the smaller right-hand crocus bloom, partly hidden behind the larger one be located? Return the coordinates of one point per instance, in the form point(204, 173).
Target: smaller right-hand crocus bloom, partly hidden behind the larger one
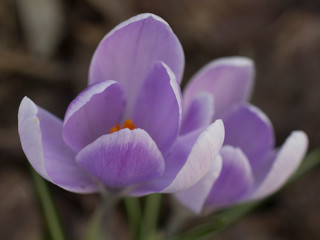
point(251, 167)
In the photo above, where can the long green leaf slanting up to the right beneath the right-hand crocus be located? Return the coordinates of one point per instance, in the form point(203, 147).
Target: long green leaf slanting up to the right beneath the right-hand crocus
point(216, 223)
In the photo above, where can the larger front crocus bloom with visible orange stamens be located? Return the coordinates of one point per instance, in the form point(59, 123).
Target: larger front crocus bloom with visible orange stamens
point(121, 132)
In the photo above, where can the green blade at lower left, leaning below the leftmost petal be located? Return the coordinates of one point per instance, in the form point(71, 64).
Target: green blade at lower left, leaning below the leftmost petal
point(48, 207)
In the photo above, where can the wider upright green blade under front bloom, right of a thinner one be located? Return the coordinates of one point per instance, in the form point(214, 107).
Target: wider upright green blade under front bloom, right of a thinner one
point(150, 217)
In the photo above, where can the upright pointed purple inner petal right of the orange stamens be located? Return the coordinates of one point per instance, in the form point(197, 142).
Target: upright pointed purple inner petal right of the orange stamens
point(158, 106)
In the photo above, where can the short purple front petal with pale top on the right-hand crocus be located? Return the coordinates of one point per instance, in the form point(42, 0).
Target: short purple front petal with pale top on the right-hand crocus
point(235, 180)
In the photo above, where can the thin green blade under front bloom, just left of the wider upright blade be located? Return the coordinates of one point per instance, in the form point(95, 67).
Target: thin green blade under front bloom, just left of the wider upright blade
point(134, 215)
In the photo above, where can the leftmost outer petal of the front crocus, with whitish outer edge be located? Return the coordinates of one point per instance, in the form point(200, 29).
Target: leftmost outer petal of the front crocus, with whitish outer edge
point(41, 139)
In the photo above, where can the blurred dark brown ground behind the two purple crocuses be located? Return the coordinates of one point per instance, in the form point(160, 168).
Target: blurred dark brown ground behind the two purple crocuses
point(45, 51)
